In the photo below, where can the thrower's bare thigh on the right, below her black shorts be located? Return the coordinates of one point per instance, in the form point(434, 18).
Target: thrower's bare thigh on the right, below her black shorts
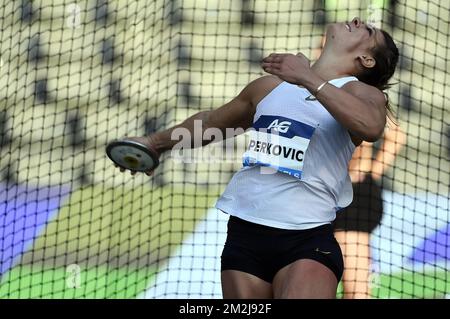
point(305, 278)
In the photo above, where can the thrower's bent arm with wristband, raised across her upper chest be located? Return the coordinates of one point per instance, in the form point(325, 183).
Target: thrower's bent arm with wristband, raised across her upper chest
point(359, 107)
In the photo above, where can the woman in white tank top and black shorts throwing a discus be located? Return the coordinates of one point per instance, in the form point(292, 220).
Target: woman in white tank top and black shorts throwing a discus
point(305, 123)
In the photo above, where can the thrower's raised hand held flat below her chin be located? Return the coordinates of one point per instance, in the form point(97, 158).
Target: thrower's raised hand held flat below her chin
point(288, 67)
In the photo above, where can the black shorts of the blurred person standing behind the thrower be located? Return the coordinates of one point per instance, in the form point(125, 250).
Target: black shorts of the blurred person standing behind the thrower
point(365, 212)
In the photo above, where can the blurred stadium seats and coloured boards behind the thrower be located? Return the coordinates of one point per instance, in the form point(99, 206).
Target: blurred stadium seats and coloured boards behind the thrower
point(77, 74)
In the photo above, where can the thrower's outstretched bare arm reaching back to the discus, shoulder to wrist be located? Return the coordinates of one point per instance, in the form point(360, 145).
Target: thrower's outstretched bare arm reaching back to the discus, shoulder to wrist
point(238, 113)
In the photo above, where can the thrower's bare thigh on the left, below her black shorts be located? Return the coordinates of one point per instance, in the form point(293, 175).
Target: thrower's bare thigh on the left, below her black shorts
point(241, 285)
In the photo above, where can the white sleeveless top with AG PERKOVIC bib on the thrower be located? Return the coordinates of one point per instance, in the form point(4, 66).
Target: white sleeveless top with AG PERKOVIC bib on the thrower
point(295, 171)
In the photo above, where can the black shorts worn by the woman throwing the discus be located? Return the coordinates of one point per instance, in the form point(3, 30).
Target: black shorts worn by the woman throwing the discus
point(262, 251)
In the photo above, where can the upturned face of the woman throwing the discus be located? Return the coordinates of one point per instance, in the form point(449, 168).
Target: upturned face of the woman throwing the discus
point(355, 38)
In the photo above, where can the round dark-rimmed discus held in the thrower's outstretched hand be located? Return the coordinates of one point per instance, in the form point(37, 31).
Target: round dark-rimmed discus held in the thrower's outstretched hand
point(132, 155)
